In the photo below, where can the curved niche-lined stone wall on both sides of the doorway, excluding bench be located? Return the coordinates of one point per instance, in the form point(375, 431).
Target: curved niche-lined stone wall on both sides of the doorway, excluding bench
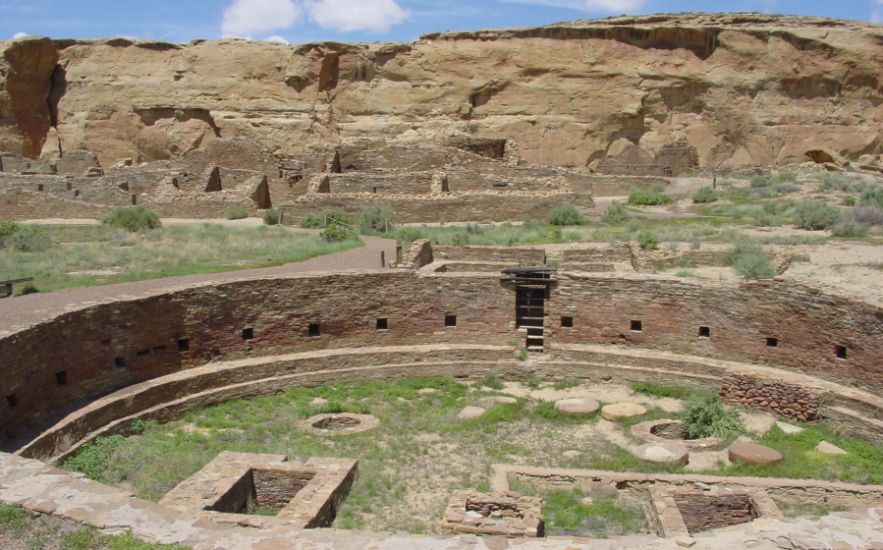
point(59, 366)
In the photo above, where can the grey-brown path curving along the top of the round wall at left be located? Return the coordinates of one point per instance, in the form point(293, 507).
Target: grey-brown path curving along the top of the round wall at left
point(24, 311)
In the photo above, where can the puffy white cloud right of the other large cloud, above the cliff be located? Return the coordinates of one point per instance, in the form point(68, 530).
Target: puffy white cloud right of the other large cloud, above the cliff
point(356, 15)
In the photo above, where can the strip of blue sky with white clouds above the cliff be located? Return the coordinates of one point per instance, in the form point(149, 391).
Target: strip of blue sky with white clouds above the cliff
point(298, 21)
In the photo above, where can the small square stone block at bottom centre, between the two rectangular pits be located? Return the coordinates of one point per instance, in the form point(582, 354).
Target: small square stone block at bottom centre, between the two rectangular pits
point(502, 514)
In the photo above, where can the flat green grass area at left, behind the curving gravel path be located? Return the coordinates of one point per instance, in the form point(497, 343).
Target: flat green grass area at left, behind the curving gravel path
point(157, 253)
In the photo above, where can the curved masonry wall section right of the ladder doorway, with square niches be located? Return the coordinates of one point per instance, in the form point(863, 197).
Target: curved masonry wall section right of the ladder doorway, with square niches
point(807, 324)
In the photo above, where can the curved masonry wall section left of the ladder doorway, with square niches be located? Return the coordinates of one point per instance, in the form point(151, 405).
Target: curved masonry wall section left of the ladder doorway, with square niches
point(108, 347)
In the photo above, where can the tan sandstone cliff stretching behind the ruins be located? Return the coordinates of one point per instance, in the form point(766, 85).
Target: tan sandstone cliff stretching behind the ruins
point(740, 89)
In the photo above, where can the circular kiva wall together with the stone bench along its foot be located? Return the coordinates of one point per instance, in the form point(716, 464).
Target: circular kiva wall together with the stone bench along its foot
point(354, 325)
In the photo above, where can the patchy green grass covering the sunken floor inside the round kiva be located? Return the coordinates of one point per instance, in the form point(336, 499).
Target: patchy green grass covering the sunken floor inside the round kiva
point(411, 462)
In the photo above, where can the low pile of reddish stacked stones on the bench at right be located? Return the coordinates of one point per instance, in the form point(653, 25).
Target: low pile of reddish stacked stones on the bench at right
point(789, 400)
